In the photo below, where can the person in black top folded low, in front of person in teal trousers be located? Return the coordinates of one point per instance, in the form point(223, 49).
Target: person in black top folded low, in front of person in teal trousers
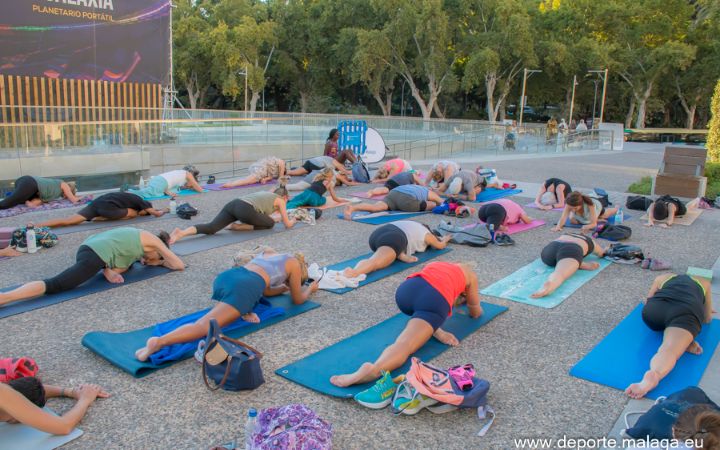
point(111, 206)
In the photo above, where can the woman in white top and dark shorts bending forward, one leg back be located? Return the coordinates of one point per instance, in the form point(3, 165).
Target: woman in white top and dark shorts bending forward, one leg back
point(398, 240)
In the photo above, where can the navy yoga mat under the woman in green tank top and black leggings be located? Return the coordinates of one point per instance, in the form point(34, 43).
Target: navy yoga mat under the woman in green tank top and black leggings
point(137, 272)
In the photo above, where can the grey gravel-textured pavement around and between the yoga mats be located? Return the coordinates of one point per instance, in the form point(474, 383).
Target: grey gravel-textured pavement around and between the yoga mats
point(525, 353)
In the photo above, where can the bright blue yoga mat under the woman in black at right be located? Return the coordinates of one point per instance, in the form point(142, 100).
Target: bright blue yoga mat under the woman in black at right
point(623, 356)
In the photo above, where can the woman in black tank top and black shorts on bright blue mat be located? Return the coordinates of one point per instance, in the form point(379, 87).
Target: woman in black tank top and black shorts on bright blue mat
point(677, 305)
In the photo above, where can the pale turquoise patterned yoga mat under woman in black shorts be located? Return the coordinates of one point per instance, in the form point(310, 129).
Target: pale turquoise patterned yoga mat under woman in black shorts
point(520, 284)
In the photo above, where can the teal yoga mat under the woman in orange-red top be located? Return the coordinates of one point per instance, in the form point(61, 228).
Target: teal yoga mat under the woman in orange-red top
point(314, 371)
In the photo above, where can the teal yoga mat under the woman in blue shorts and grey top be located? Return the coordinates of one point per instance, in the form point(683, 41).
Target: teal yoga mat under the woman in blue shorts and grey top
point(119, 348)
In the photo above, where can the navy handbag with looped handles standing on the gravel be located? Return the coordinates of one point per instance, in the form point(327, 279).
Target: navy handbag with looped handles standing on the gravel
point(231, 365)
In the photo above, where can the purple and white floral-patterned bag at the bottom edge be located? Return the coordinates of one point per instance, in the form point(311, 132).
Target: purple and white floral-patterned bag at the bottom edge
point(291, 427)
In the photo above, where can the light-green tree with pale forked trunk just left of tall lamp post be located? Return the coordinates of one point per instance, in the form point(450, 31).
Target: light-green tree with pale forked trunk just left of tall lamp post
point(498, 43)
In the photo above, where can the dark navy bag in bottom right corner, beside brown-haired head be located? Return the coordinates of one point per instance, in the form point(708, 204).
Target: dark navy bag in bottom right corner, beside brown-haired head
point(657, 422)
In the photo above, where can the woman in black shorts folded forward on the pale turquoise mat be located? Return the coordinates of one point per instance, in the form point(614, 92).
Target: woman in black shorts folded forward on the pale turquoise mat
point(566, 255)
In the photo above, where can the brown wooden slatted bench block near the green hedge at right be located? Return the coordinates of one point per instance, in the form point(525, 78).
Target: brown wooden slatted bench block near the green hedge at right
point(681, 172)
